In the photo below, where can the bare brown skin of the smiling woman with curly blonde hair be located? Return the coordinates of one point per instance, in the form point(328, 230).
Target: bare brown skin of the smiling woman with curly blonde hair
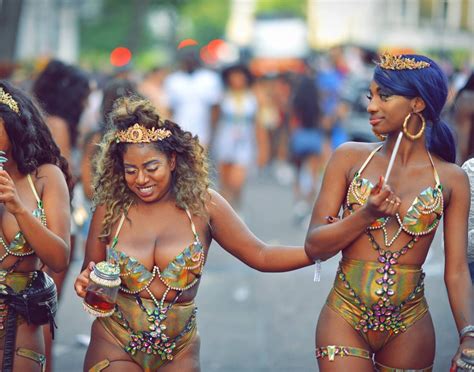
point(159, 243)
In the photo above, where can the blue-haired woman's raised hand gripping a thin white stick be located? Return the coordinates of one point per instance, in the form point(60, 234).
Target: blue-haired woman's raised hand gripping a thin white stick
point(382, 202)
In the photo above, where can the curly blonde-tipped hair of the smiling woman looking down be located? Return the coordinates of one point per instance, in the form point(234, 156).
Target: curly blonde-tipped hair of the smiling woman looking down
point(190, 179)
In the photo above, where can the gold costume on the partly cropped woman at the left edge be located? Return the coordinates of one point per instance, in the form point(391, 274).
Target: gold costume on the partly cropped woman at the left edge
point(18, 281)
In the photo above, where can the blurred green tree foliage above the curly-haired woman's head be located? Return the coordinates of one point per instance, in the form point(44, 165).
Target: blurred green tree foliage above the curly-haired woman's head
point(124, 23)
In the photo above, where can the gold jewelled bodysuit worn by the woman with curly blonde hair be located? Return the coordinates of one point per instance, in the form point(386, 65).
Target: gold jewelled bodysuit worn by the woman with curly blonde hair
point(153, 331)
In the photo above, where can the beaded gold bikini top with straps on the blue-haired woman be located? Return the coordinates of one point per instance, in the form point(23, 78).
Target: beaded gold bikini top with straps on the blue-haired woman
point(423, 215)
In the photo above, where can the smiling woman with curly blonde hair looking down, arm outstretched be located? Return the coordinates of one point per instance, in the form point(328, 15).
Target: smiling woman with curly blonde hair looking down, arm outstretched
point(153, 199)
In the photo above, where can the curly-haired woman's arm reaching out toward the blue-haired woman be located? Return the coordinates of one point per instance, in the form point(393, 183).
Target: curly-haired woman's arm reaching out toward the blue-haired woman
point(234, 236)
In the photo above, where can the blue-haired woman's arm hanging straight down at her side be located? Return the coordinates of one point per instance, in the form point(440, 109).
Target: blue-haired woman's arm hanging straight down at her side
point(456, 272)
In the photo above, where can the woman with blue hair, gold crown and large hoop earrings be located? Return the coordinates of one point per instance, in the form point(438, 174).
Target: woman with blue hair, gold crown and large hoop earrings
point(376, 315)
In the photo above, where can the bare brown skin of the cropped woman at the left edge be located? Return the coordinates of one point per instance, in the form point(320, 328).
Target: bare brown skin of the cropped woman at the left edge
point(17, 201)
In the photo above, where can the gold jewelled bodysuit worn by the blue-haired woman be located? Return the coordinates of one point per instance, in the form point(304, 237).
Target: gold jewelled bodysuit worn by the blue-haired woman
point(380, 299)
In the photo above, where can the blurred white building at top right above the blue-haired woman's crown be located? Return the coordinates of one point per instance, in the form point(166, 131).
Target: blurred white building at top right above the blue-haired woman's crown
point(416, 24)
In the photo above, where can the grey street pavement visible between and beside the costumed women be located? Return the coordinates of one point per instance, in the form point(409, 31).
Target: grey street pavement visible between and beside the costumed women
point(259, 322)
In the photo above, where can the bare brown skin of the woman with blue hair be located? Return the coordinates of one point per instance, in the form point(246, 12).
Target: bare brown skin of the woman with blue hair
point(410, 175)
